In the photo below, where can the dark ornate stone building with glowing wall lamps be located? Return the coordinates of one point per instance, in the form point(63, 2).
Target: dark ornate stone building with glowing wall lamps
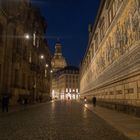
point(22, 69)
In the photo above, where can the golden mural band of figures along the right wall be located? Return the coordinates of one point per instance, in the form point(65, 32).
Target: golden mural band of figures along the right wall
point(120, 41)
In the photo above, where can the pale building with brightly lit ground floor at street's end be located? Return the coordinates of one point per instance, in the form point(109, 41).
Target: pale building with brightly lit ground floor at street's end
point(66, 83)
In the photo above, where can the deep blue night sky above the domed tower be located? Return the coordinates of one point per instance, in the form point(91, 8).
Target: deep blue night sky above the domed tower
point(68, 20)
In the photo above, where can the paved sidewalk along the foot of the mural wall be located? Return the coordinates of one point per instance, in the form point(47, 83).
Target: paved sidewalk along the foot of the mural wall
point(127, 124)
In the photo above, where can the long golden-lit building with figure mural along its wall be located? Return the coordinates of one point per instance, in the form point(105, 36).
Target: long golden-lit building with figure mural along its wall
point(110, 69)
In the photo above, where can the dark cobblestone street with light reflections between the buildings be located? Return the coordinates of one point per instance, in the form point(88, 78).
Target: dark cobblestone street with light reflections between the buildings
point(56, 121)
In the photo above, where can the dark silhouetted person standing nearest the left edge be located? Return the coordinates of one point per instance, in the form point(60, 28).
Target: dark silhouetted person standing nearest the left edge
point(5, 103)
